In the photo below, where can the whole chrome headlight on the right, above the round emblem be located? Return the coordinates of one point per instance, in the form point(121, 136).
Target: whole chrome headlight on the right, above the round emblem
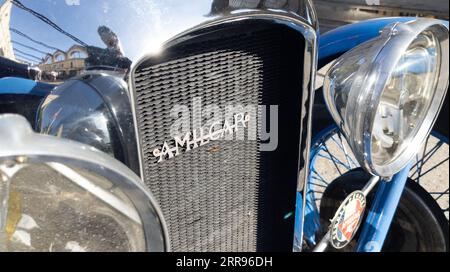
point(386, 94)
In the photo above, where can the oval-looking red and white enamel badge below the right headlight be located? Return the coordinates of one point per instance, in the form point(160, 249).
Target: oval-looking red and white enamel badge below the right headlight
point(347, 219)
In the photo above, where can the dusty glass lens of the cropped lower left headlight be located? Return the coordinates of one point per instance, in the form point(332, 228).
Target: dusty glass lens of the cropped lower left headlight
point(48, 212)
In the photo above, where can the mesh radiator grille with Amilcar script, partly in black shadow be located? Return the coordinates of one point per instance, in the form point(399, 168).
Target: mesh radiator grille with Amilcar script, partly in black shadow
point(225, 195)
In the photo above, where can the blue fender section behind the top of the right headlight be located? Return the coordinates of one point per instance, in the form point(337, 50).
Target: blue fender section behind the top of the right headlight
point(344, 38)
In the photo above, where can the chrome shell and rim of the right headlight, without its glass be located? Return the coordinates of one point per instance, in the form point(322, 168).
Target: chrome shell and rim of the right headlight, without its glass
point(364, 93)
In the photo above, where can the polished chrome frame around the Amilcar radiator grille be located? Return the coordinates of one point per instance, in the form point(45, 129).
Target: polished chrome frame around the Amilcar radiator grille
point(310, 33)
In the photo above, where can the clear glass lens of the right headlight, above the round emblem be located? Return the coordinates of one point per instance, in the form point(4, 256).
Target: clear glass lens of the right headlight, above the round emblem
point(405, 99)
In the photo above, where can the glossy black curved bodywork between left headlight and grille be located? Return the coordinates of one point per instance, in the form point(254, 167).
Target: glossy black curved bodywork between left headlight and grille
point(93, 109)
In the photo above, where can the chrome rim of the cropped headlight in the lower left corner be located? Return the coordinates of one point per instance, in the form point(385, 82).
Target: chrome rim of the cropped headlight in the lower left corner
point(21, 147)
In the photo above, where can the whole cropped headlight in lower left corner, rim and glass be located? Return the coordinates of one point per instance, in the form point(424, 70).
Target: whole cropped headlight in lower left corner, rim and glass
point(60, 195)
